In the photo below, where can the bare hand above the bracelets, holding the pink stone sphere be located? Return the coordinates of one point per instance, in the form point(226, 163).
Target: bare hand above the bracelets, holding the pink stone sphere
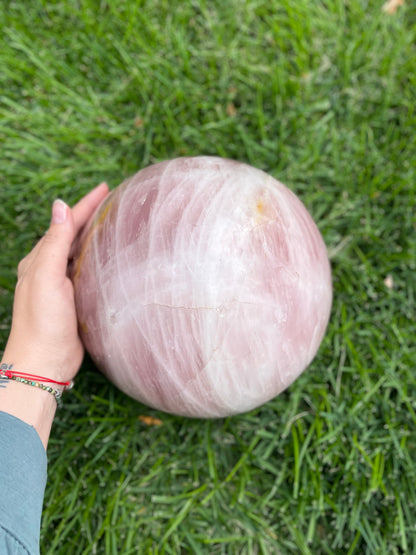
point(44, 335)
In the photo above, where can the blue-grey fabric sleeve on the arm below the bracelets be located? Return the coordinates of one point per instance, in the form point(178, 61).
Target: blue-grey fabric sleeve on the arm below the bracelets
point(23, 467)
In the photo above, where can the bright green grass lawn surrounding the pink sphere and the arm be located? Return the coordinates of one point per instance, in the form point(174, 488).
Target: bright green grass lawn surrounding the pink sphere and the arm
point(323, 96)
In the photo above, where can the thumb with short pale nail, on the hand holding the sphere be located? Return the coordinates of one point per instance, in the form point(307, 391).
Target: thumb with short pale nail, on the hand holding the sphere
point(54, 250)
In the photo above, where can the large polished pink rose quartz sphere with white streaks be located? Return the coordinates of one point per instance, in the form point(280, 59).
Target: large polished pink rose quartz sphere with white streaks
point(202, 287)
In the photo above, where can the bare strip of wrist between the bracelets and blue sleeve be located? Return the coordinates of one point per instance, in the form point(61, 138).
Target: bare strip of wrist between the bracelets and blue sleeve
point(30, 404)
